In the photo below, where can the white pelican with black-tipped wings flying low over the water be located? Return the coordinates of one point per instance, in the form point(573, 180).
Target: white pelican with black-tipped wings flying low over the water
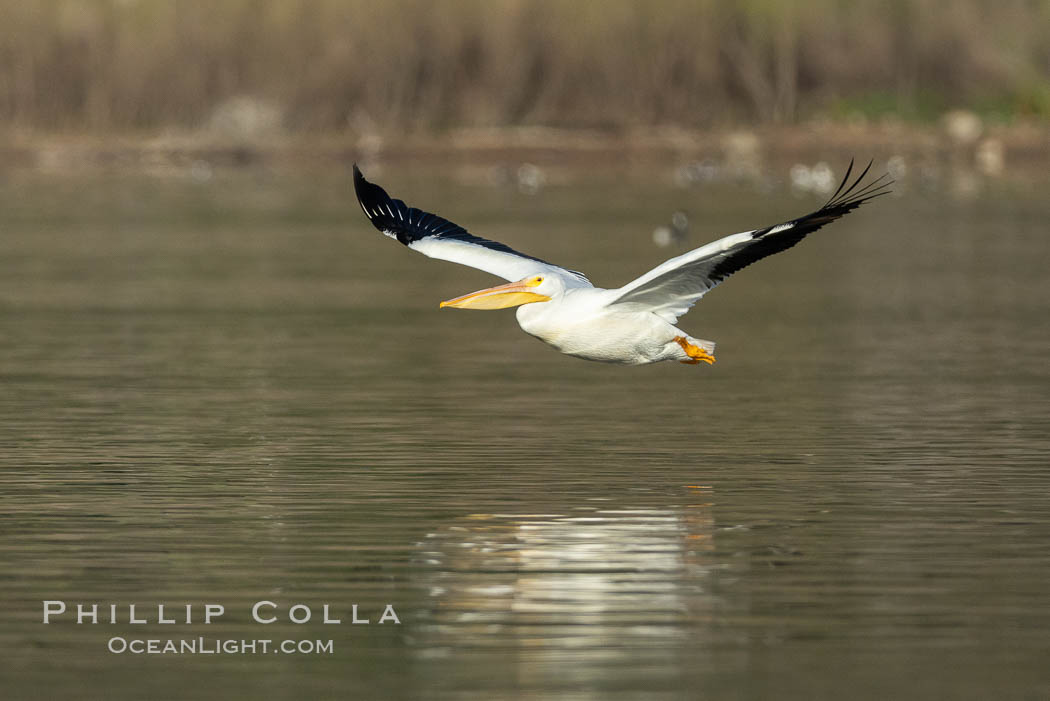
point(634, 325)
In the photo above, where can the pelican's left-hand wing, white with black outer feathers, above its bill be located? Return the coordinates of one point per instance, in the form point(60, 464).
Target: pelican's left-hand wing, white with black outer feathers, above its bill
point(440, 239)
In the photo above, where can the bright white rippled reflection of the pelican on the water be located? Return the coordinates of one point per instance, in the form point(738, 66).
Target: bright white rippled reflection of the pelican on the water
point(604, 583)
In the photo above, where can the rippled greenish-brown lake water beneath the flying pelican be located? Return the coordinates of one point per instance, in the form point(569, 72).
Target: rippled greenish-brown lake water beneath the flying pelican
point(235, 391)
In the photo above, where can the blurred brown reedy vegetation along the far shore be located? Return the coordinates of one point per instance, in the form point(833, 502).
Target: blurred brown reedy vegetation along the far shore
point(415, 67)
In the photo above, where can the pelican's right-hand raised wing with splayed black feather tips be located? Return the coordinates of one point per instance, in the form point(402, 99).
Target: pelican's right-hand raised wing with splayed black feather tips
point(674, 287)
